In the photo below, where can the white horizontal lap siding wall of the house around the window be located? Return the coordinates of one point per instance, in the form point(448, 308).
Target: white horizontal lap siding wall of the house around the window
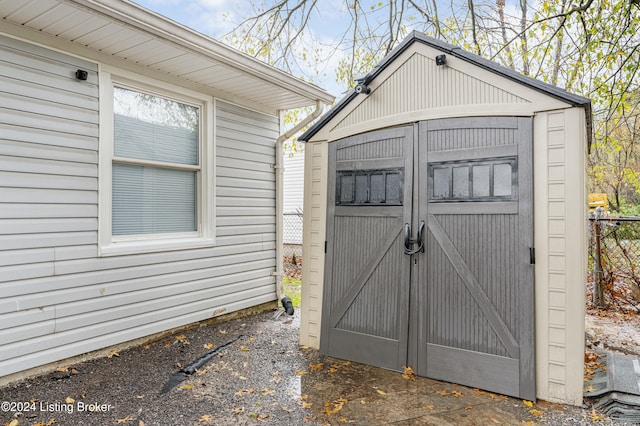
point(57, 297)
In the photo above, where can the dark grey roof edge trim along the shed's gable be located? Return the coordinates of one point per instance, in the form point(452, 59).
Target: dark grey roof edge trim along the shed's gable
point(548, 89)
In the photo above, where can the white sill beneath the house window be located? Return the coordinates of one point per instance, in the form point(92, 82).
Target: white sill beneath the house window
point(121, 248)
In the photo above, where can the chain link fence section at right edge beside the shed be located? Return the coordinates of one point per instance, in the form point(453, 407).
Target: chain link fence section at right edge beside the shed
point(614, 258)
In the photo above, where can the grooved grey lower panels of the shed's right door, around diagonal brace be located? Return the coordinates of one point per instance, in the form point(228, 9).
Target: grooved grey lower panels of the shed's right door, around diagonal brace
point(455, 317)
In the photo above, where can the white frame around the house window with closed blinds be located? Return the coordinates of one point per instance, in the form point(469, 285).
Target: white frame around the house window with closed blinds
point(112, 245)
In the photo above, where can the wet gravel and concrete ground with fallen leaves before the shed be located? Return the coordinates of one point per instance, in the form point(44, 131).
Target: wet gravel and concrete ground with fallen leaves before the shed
point(263, 377)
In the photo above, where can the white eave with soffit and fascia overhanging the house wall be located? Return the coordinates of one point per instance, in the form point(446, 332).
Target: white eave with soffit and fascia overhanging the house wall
point(127, 31)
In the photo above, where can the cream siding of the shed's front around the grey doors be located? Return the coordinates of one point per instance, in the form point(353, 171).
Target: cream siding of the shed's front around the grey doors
point(413, 88)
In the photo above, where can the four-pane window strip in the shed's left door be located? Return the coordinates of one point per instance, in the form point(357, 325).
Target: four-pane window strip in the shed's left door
point(369, 187)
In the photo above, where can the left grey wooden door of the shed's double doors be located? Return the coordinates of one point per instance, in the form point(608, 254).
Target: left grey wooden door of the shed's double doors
point(365, 303)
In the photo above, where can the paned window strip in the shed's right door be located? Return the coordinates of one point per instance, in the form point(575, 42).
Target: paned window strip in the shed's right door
point(477, 180)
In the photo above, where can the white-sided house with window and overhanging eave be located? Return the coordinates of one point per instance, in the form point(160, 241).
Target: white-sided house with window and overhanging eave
point(140, 184)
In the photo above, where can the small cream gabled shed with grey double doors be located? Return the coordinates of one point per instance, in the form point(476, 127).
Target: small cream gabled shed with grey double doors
point(444, 224)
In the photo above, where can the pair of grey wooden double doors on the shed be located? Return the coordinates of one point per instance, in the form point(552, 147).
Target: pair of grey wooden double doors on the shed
point(460, 307)
